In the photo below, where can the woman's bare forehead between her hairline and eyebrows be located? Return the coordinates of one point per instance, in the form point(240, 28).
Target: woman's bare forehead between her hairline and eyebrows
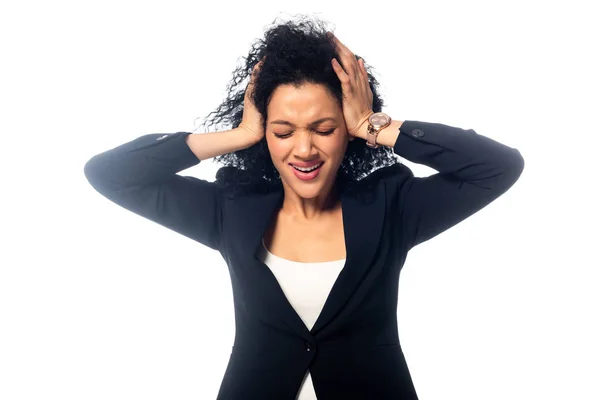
point(307, 101)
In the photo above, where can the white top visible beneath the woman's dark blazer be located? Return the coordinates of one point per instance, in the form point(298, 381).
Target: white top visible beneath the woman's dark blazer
point(306, 286)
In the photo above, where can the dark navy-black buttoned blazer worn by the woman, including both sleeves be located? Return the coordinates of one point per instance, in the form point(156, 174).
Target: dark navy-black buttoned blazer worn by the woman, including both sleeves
point(353, 350)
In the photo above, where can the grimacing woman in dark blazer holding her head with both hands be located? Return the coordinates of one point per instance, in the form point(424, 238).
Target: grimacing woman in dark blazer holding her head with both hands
point(313, 224)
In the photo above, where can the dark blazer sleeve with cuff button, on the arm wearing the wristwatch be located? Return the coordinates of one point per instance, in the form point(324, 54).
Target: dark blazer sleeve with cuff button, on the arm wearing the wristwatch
point(473, 170)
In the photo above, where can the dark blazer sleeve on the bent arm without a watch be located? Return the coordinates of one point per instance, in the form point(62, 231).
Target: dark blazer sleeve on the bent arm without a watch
point(141, 176)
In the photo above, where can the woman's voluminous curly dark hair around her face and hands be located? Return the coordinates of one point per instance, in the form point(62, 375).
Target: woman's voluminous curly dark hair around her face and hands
point(296, 53)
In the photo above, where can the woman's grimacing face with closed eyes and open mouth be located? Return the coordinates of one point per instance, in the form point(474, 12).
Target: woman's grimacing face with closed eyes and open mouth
point(295, 136)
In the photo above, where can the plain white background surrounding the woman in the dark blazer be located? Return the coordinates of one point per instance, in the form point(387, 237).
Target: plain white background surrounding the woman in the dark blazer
point(99, 303)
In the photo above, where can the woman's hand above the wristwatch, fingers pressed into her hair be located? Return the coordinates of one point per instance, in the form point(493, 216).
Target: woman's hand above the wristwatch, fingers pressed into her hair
point(357, 102)
